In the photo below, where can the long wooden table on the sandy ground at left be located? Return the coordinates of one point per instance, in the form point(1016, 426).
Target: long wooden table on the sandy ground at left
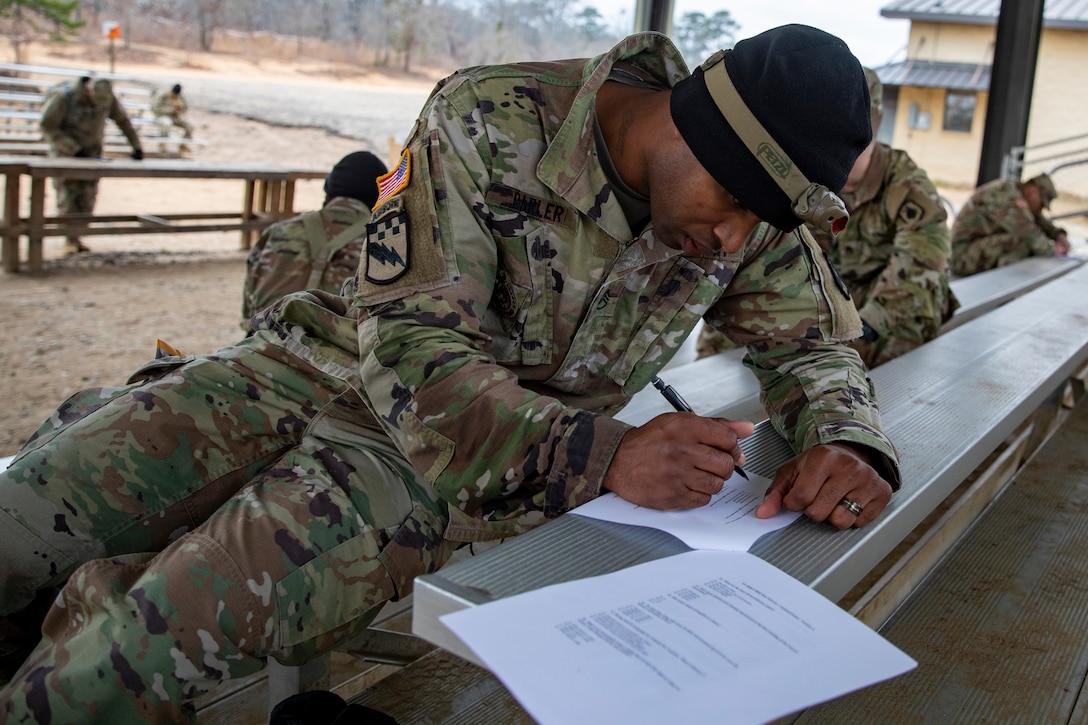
point(269, 196)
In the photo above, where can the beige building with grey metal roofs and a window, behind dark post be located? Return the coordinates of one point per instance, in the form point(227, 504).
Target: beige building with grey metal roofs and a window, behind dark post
point(936, 100)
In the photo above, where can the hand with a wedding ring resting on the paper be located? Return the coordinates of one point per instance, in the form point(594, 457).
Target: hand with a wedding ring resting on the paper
point(817, 483)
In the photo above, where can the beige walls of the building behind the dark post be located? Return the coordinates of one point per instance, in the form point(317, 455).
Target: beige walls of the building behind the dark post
point(1060, 109)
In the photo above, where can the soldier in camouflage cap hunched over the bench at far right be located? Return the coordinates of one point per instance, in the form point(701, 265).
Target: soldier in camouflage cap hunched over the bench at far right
point(1003, 223)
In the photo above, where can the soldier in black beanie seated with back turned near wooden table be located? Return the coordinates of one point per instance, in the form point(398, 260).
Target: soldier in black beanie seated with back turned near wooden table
point(317, 250)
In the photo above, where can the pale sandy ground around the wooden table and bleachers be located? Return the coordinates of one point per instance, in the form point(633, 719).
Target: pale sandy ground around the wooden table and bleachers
point(90, 321)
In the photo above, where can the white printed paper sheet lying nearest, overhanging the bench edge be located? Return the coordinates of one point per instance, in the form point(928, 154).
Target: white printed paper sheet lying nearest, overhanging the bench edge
point(702, 637)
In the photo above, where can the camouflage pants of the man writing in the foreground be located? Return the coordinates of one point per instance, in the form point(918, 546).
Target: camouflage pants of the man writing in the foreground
point(222, 513)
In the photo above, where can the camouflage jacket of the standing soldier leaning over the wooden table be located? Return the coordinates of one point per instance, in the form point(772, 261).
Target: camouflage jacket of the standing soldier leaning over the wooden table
point(71, 121)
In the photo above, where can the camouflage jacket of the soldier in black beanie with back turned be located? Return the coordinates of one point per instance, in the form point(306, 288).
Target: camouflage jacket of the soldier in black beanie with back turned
point(314, 251)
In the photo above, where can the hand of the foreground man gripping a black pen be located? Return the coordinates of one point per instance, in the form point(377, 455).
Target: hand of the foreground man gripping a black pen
point(676, 461)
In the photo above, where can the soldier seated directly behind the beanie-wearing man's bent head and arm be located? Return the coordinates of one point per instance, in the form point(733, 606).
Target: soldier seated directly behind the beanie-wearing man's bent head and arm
point(894, 255)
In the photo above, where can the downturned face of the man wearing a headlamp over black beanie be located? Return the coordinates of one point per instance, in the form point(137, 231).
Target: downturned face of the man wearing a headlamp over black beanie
point(691, 212)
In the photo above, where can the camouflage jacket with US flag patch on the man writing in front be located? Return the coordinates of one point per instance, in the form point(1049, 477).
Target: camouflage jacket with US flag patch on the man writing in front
point(505, 311)
